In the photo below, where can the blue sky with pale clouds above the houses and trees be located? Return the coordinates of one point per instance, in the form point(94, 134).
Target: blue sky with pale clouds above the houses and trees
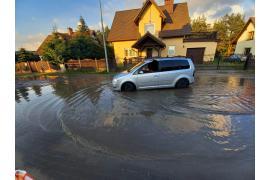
point(35, 18)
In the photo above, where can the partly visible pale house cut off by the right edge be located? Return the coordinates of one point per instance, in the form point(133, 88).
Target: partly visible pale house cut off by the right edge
point(245, 40)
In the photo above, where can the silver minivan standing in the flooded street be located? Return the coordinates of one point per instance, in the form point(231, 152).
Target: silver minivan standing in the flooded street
point(156, 73)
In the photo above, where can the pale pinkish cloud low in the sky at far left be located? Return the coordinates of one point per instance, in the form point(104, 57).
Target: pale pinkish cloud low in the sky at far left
point(30, 42)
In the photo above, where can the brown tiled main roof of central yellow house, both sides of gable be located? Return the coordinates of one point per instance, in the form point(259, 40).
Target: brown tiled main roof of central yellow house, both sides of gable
point(124, 28)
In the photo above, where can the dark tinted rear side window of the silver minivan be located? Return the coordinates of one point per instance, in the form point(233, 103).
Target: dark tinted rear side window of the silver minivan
point(172, 65)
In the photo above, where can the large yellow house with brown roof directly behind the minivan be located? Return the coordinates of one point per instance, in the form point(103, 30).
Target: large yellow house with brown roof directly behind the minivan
point(159, 31)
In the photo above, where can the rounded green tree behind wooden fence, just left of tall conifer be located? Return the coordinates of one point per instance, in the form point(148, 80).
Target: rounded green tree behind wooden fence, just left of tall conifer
point(54, 50)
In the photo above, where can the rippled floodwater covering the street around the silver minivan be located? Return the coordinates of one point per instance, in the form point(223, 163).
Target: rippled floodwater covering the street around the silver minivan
point(77, 127)
